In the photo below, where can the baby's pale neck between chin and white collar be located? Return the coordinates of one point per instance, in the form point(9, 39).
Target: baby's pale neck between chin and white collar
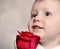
point(52, 43)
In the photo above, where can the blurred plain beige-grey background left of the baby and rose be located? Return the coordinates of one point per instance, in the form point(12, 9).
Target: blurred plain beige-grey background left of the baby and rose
point(14, 15)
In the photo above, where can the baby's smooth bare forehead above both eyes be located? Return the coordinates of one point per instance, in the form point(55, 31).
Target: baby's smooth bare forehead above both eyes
point(45, 4)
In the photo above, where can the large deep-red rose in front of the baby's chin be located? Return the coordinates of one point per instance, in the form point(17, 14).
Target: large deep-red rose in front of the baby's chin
point(27, 40)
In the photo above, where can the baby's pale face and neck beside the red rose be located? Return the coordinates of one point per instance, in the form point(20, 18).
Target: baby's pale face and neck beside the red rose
point(46, 15)
